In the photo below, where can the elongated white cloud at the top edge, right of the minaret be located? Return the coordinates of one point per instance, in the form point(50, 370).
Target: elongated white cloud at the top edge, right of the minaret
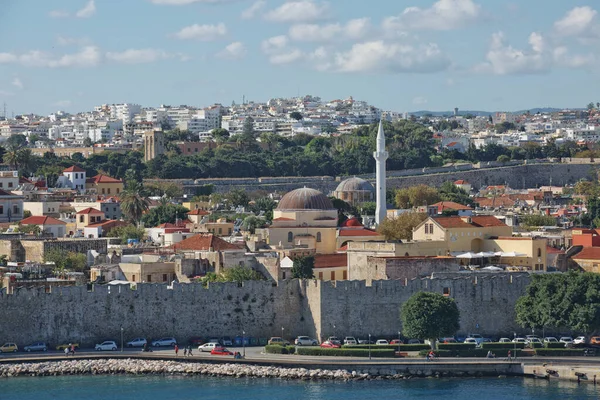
point(441, 16)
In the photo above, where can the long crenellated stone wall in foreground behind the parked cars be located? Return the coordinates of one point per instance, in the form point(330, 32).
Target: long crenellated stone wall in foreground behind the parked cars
point(315, 308)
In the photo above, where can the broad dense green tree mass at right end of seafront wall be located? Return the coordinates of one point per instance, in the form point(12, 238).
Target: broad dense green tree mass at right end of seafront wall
point(569, 301)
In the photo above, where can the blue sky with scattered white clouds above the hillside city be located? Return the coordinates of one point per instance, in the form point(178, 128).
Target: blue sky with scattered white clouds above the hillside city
point(399, 55)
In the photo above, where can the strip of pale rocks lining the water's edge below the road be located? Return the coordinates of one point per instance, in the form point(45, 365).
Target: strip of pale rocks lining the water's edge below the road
point(159, 367)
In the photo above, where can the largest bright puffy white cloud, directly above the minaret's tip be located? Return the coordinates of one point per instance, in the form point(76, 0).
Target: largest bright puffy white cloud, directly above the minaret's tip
point(381, 56)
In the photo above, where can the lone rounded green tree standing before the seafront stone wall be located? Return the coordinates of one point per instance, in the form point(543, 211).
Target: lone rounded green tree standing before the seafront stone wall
point(429, 315)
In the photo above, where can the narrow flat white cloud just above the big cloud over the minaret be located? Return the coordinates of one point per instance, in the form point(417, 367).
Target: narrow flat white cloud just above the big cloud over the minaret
point(353, 29)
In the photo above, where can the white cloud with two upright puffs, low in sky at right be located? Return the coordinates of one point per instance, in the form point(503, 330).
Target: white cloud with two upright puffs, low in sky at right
point(503, 59)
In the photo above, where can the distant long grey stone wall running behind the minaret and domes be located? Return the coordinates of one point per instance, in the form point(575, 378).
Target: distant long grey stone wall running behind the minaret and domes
point(516, 176)
